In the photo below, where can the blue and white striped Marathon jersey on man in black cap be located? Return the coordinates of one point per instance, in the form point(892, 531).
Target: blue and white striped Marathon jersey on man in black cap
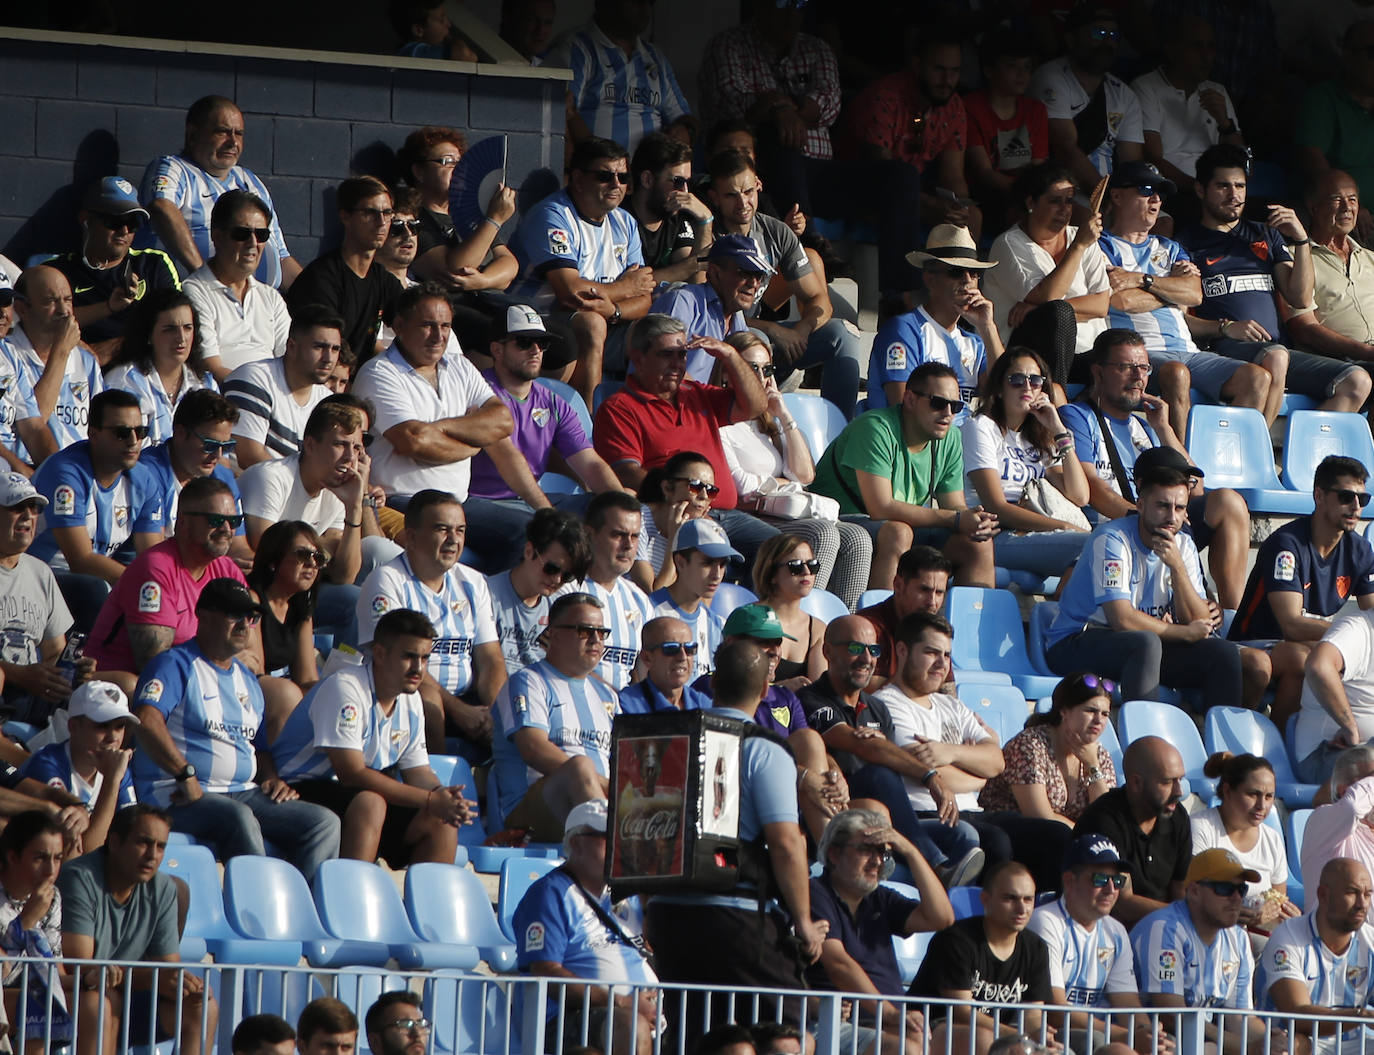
point(212, 715)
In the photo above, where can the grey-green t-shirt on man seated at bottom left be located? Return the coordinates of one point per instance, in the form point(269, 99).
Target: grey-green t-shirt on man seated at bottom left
point(144, 929)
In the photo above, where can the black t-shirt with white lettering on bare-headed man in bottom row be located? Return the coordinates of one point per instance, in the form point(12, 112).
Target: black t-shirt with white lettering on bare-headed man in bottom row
point(960, 958)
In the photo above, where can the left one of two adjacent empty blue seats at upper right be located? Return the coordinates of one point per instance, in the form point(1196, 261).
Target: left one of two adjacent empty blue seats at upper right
point(1233, 447)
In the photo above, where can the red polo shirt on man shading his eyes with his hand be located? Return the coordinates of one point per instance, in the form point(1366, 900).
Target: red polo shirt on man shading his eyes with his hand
point(635, 427)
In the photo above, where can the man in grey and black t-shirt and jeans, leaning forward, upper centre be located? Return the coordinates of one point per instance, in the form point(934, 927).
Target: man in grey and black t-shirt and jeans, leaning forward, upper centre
point(817, 339)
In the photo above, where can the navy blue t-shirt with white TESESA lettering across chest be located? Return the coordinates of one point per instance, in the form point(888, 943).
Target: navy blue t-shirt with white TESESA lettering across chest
point(1239, 271)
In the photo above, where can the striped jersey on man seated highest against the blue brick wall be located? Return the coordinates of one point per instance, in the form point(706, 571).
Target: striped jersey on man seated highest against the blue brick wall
point(194, 193)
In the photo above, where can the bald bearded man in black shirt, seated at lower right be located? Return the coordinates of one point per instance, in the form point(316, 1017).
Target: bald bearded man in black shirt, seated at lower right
point(1145, 824)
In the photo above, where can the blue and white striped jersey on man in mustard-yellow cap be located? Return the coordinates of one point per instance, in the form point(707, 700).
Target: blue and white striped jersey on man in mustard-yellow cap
point(1170, 958)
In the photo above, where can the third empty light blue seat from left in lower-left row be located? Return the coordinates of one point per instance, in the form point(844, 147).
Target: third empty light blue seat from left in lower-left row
point(359, 902)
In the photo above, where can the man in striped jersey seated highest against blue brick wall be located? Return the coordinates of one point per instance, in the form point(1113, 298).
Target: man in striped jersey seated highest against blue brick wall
point(181, 192)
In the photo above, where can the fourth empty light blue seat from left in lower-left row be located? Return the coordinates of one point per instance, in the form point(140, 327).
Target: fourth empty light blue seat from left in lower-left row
point(450, 905)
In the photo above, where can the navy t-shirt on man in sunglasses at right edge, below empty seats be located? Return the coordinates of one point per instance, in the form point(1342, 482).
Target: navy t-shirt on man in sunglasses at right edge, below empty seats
point(1288, 563)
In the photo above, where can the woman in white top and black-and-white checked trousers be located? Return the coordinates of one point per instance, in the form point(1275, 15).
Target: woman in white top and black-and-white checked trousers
point(769, 453)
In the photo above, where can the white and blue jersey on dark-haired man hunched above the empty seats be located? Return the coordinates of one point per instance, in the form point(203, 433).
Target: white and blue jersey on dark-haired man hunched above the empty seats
point(343, 712)
